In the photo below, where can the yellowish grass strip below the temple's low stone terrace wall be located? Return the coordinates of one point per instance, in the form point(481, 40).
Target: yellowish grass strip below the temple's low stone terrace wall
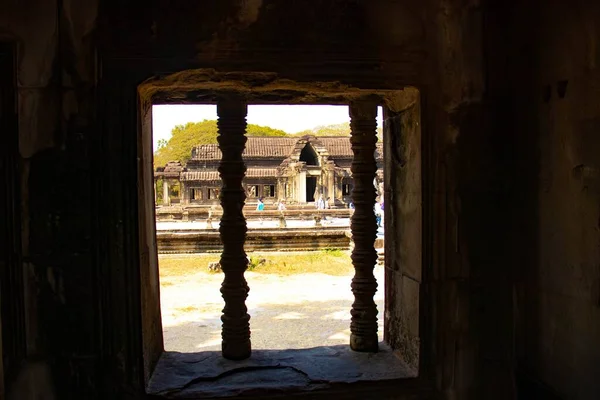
point(329, 261)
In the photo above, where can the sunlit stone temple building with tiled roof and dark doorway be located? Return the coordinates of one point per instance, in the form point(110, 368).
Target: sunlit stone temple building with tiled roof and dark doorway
point(294, 169)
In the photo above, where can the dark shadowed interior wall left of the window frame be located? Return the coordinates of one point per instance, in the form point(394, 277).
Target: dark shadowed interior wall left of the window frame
point(55, 80)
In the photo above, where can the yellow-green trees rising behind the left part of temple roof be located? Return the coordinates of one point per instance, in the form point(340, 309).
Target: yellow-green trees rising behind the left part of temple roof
point(185, 137)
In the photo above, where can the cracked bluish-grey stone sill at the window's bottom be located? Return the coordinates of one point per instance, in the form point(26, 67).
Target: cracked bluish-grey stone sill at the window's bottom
point(180, 375)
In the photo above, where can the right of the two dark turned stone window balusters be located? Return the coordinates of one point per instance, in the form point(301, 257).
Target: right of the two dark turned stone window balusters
point(363, 126)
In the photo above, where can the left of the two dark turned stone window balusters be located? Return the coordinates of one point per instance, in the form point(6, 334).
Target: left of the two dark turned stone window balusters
point(231, 124)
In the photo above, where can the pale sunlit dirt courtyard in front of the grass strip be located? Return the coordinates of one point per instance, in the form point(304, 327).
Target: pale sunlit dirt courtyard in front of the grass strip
point(291, 311)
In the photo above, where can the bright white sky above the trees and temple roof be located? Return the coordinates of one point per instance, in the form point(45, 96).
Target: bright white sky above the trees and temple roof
point(290, 118)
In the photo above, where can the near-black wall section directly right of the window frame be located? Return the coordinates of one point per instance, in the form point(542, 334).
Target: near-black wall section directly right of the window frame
point(464, 251)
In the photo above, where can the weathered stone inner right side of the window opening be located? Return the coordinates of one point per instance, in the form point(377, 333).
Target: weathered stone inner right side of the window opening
point(402, 211)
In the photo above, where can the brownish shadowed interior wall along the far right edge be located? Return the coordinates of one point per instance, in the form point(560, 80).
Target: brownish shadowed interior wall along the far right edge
point(558, 271)
